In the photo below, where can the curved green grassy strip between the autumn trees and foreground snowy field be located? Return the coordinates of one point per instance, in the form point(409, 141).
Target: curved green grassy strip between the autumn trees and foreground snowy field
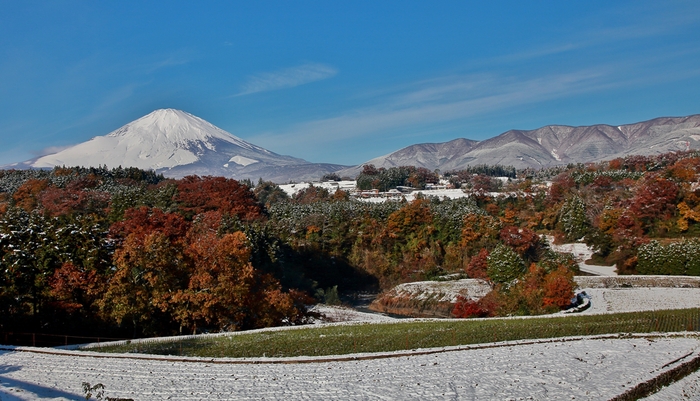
point(347, 339)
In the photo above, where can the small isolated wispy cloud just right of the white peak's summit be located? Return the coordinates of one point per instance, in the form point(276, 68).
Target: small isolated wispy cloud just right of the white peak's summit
point(287, 78)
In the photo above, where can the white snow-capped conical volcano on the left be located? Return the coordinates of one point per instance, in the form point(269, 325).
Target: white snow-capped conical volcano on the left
point(176, 144)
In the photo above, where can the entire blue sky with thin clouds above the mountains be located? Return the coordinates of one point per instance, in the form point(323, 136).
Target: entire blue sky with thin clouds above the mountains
point(341, 82)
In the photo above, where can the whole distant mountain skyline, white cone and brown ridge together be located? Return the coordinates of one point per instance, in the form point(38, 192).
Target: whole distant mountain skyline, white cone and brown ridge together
point(176, 144)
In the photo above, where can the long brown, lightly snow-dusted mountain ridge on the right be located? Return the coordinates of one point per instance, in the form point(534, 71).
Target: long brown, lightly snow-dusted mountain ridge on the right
point(549, 146)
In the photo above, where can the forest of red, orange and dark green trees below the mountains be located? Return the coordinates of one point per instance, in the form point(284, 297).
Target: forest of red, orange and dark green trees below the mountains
point(130, 252)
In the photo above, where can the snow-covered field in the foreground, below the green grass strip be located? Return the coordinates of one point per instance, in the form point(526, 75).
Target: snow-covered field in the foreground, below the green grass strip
point(582, 369)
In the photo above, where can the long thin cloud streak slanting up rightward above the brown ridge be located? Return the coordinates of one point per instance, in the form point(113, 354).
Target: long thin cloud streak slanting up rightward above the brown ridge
point(437, 101)
